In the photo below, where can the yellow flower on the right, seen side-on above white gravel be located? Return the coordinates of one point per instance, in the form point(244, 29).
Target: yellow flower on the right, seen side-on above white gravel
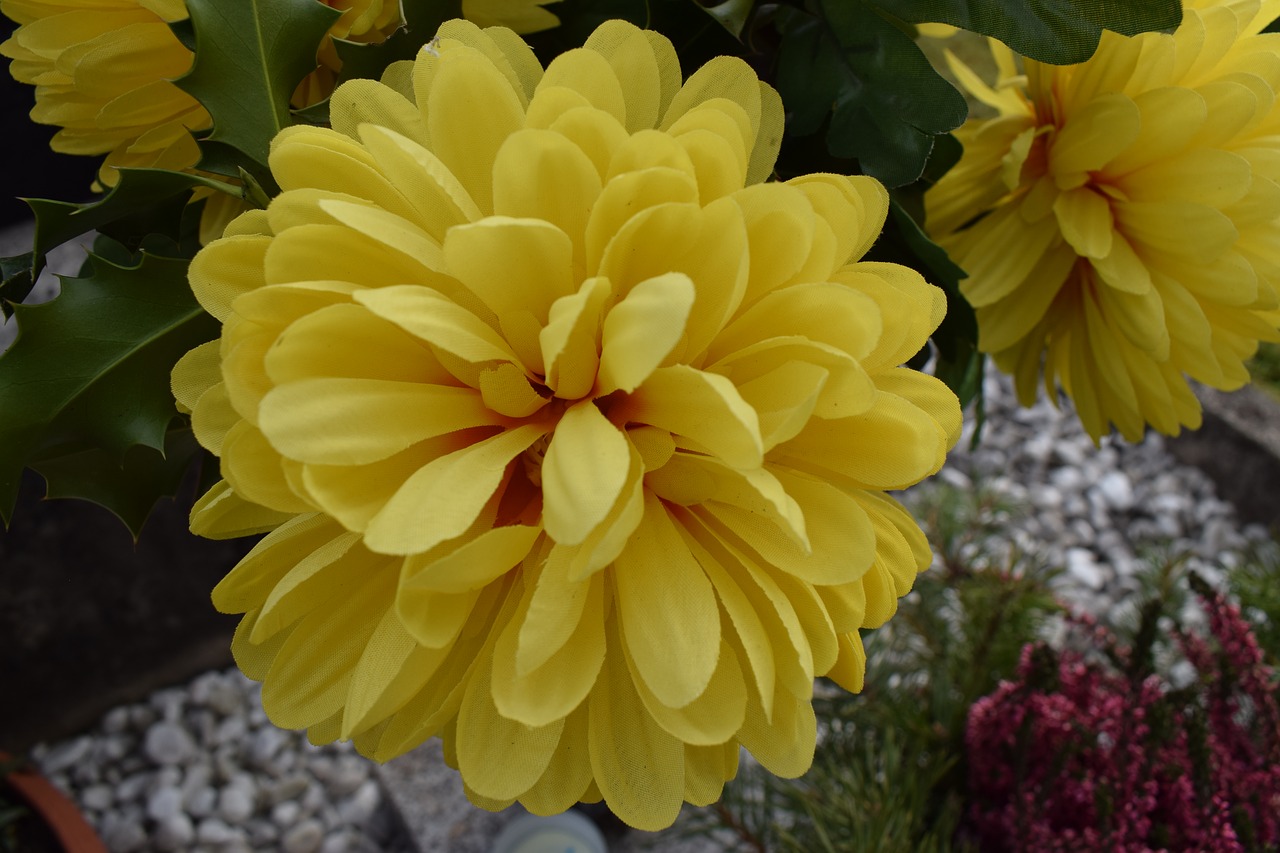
point(1121, 220)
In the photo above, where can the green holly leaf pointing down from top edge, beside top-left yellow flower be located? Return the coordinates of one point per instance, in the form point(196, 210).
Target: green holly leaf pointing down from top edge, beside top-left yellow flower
point(250, 57)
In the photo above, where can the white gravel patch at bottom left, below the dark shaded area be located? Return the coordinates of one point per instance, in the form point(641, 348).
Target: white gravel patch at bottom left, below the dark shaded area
point(200, 769)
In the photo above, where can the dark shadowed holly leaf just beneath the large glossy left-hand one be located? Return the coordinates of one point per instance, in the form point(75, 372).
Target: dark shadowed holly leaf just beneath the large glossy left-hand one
point(130, 486)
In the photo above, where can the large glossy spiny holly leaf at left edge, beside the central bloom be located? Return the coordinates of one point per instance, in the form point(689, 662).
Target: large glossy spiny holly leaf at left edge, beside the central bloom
point(92, 368)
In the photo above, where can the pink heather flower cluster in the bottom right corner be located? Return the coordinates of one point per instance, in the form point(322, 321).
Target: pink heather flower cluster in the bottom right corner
point(1078, 756)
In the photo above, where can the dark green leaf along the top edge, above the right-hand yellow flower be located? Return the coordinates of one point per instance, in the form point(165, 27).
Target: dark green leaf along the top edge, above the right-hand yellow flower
point(1062, 33)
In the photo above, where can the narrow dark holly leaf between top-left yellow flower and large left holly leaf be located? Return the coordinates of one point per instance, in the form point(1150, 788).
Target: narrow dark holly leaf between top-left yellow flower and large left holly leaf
point(144, 202)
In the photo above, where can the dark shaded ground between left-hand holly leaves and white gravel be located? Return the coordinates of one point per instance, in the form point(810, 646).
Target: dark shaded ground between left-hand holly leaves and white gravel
point(90, 621)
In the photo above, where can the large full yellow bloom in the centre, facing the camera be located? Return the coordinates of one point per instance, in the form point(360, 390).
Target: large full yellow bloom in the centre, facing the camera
point(573, 436)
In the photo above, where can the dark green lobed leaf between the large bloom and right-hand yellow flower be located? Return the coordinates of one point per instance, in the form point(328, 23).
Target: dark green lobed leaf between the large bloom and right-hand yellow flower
point(885, 101)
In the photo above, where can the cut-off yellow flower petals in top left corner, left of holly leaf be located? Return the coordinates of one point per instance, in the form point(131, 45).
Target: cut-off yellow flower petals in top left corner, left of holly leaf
point(102, 74)
